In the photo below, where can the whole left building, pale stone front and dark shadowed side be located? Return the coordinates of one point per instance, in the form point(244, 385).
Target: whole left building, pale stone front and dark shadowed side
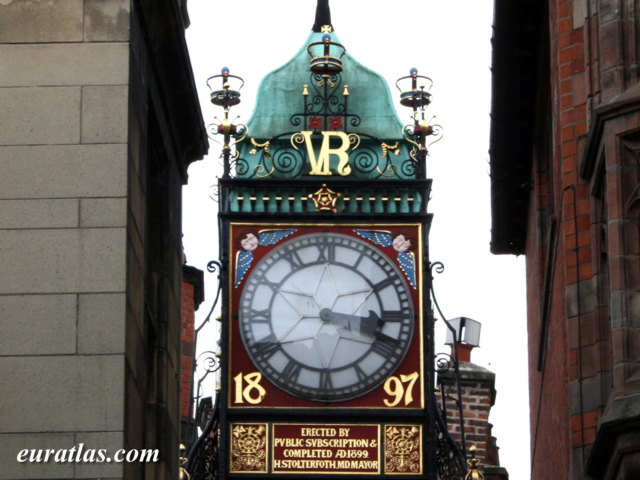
point(100, 120)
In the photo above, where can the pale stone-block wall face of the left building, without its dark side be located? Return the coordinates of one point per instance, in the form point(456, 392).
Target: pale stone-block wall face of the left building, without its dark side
point(63, 189)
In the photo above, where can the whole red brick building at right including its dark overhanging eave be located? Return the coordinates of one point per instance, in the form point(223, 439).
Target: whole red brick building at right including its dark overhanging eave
point(565, 169)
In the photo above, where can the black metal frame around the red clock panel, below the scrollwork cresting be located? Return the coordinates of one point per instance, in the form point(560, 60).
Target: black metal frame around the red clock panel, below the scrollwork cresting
point(446, 455)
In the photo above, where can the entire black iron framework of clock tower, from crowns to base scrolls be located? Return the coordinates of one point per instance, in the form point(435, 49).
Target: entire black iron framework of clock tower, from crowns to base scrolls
point(276, 186)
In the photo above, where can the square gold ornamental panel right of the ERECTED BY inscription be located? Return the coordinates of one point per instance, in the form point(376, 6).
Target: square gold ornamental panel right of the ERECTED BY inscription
point(403, 447)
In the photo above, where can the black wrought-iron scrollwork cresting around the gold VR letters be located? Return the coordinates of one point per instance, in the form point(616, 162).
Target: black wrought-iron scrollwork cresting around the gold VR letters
point(325, 109)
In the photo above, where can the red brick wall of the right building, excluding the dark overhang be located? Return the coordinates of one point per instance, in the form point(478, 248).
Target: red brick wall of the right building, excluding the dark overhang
point(580, 339)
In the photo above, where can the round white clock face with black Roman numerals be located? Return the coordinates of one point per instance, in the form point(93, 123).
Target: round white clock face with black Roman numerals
point(326, 317)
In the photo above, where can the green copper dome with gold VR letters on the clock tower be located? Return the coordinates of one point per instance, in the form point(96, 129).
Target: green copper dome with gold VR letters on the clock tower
point(324, 114)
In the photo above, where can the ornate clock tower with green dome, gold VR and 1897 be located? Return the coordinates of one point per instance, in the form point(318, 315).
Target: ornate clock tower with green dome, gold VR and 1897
point(327, 326)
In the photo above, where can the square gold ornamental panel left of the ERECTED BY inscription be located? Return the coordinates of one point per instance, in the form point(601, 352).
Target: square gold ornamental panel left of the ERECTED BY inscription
point(249, 447)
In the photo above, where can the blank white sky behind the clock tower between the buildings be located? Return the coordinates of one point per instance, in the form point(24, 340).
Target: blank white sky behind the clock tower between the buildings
point(449, 42)
